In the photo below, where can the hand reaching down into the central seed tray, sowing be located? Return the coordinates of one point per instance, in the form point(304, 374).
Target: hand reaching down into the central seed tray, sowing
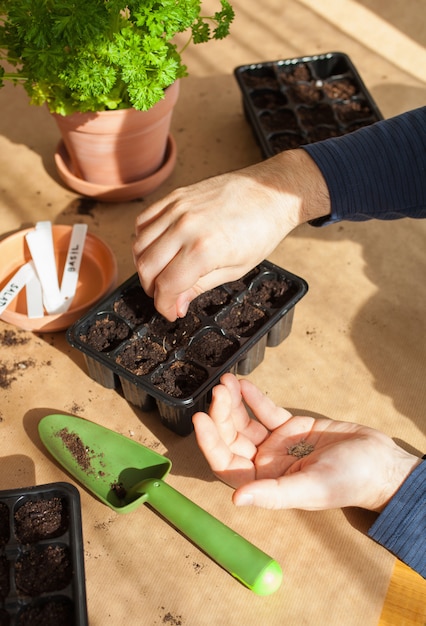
point(216, 230)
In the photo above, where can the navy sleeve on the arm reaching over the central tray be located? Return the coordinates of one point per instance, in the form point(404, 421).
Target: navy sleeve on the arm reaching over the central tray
point(378, 171)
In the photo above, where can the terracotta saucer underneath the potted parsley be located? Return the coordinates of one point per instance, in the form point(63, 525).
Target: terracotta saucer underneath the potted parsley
point(121, 193)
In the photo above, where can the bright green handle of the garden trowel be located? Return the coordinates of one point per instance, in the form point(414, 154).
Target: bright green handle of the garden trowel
point(252, 567)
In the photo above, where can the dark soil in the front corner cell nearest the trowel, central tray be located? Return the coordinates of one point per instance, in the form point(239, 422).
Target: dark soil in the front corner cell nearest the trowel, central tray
point(180, 380)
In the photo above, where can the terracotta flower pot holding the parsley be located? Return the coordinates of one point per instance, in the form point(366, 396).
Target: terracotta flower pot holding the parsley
point(116, 148)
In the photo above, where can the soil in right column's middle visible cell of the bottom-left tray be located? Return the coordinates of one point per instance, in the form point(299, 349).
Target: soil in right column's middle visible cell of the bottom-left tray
point(43, 570)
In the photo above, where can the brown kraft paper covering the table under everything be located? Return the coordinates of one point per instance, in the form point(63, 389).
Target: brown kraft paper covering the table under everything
point(356, 350)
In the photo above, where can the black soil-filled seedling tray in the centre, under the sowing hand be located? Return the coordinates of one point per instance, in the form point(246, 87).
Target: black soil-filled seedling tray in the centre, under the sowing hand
point(174, 365)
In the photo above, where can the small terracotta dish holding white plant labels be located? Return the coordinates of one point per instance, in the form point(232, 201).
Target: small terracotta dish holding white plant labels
point(97, 277)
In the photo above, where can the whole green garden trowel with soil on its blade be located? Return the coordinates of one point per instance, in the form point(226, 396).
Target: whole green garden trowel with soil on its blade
point(123, 474)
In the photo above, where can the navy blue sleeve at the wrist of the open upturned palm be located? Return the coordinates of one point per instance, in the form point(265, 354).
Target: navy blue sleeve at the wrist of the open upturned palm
point(401, 527)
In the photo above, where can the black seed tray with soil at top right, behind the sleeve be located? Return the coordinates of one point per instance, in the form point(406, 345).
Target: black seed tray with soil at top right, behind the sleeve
point(294, 102)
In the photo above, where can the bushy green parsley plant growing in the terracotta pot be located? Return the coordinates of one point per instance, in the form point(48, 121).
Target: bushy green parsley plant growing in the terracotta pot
point(95, 55)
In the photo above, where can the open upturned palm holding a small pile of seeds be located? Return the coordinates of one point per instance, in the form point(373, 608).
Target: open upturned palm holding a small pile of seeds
point(281, 461)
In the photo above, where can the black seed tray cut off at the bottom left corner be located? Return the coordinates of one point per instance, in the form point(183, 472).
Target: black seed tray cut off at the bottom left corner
point(41, 557)
